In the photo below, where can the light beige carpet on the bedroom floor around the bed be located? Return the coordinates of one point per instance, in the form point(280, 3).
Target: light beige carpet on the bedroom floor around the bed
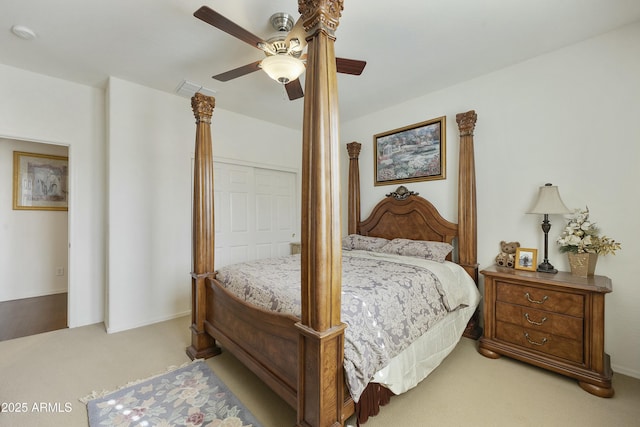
point(51, 371)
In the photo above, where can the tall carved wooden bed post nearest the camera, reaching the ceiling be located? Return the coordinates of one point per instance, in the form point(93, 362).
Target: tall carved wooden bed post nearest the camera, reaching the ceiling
point(321, 343)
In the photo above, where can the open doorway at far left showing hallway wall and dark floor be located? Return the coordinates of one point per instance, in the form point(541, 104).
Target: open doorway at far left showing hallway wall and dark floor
point(33, 254)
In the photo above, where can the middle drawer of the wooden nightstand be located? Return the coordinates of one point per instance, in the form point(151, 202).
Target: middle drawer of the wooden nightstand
point(541, 321)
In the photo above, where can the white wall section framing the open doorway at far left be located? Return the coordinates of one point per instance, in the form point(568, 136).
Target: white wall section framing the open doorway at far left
point(38, 108)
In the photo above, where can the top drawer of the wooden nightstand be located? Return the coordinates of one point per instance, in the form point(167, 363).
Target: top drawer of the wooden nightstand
point(540, 298)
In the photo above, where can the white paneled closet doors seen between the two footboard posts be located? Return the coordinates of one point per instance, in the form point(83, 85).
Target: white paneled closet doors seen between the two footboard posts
point(255, 212)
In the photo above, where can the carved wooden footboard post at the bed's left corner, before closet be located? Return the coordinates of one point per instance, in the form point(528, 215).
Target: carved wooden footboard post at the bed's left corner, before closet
point(202, 344)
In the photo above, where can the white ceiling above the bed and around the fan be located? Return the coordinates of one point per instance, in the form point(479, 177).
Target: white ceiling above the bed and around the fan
point(412, 47)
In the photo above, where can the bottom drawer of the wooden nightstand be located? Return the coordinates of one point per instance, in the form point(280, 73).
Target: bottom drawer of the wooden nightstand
point(540, 341)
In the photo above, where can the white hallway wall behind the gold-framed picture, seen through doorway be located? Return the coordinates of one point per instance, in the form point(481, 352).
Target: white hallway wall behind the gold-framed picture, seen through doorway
point(33, 243)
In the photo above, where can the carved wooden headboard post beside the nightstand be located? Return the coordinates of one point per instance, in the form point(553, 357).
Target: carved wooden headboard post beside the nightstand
point(467, 221)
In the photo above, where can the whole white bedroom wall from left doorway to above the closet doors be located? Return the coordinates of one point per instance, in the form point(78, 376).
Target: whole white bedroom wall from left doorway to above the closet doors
point(151, 137)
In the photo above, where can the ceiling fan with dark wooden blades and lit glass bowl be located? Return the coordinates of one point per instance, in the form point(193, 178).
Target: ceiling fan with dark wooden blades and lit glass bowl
point(284, 60)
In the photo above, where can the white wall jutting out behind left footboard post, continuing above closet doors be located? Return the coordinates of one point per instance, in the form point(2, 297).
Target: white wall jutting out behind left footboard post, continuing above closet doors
point(151, 137)
